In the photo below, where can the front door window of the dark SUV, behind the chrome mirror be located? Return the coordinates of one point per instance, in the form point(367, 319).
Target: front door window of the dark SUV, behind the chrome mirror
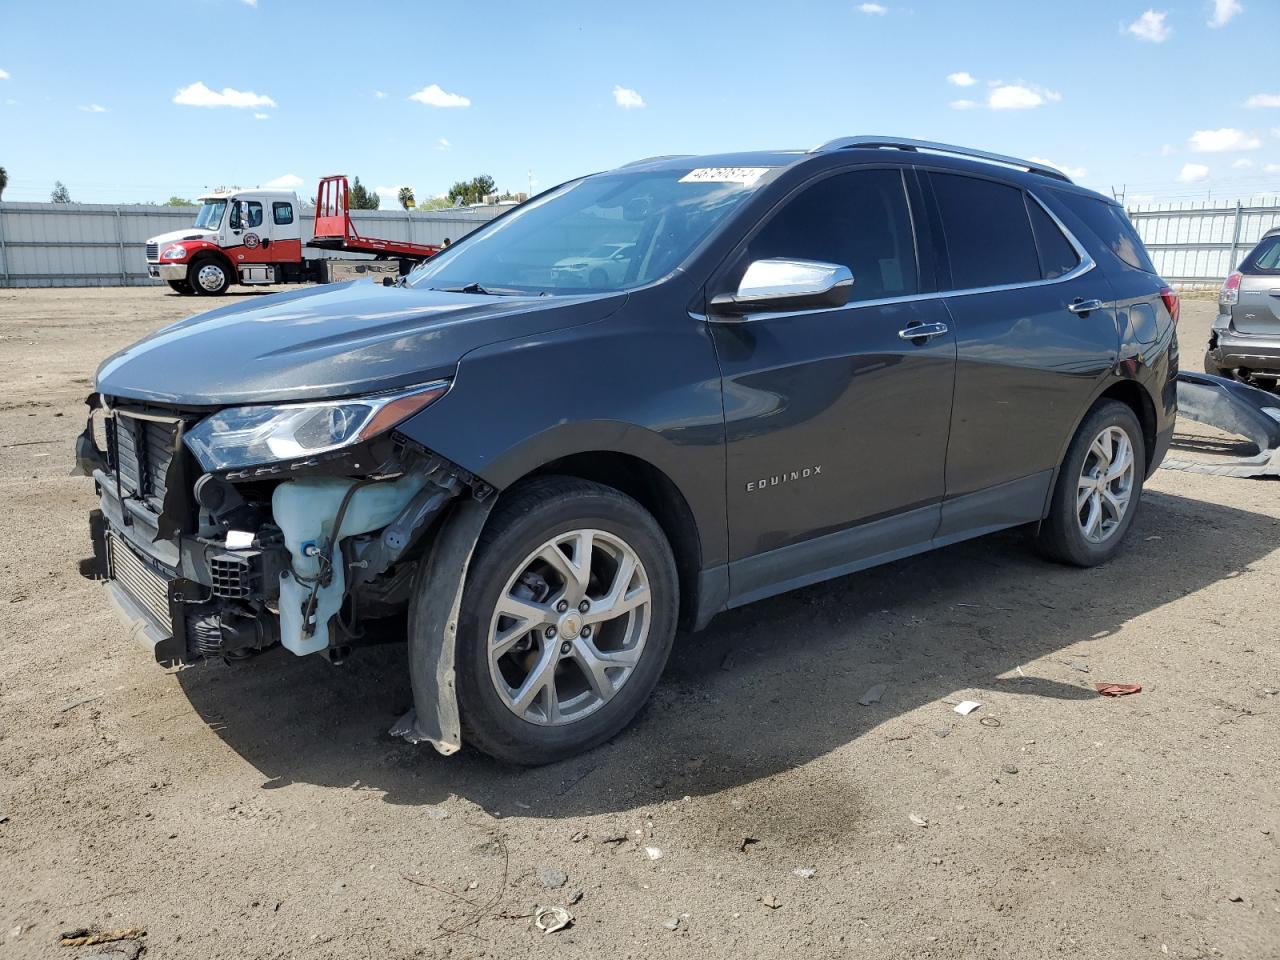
point(858, 220)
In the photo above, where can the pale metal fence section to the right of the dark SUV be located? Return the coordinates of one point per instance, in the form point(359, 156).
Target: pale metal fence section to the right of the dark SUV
point(1200, 244)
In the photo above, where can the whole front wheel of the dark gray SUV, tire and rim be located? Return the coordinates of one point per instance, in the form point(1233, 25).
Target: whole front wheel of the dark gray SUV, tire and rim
point(568, 619)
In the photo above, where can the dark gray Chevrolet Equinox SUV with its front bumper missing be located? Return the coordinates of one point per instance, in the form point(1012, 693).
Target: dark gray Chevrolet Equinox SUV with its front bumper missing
point(801, 365)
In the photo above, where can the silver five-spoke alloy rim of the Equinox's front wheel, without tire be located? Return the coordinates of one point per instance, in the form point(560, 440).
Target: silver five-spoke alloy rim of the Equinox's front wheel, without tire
point(569, 628)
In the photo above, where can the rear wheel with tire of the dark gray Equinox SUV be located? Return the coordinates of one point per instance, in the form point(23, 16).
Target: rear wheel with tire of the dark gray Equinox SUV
point(1098, 491)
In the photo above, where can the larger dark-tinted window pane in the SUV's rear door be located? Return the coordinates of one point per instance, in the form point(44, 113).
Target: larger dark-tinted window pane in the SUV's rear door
point(989, 234)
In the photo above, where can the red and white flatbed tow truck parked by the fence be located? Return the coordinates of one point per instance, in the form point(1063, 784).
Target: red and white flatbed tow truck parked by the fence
point(262, 237)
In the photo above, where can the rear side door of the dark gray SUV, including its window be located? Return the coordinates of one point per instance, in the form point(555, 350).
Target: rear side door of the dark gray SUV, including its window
point(1027, 364)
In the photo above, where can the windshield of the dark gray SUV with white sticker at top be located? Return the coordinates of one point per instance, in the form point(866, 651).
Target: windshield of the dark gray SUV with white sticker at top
point(605, 234)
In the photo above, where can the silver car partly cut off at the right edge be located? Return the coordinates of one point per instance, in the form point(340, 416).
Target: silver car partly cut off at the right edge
point(1245, 344)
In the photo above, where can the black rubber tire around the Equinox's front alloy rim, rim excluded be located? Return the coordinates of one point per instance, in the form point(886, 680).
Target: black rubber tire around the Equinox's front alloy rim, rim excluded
point(527, 518)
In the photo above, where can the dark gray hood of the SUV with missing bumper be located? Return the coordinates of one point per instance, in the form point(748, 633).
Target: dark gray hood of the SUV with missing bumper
point(335, 341)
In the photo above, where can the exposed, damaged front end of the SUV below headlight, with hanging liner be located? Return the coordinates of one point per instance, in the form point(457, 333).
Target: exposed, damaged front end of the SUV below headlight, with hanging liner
point(304, 568)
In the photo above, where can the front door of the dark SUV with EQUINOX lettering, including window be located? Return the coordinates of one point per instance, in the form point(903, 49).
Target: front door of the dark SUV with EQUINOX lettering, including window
point(834, 420)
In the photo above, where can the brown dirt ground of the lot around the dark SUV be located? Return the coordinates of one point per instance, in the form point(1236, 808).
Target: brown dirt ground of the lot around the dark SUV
point(264, 812)
